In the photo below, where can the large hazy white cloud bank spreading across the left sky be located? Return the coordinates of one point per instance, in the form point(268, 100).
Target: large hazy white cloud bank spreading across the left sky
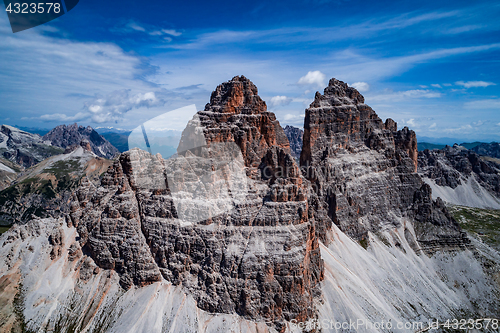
point(81, 81)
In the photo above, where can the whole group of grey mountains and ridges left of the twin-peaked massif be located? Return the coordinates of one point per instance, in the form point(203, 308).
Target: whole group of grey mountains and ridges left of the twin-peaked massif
point(37, 173)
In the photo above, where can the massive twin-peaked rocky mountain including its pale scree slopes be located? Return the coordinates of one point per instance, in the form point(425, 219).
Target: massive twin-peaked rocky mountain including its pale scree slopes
point(232, 234)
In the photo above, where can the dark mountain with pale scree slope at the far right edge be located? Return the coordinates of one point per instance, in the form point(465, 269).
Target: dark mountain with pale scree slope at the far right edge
point(461, 177)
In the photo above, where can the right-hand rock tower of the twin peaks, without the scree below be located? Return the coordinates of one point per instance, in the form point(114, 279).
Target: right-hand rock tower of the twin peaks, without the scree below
point(364, 171)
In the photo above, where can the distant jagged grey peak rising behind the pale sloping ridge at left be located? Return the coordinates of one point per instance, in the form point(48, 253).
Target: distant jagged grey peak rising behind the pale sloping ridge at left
point(65, 136)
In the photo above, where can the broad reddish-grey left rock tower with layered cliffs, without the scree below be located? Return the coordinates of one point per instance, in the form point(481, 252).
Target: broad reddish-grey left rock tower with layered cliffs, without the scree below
point(260, 258)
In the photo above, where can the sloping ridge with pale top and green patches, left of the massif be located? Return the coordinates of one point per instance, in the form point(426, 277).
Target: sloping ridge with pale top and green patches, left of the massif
point(45, 190)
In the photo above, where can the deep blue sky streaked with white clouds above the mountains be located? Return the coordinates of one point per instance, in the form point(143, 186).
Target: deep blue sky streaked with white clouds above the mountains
point(433, 66)
